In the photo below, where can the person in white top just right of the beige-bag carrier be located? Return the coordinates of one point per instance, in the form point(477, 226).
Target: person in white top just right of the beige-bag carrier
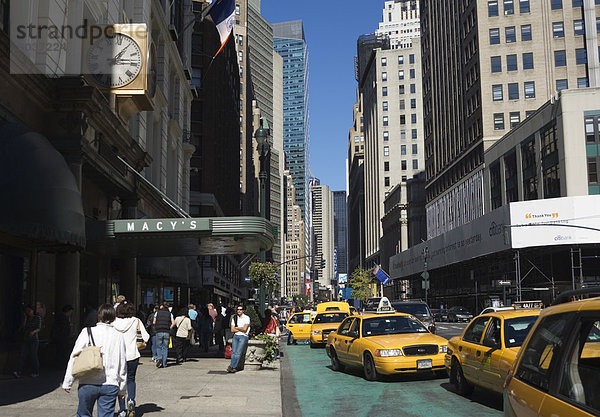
point(128, 324)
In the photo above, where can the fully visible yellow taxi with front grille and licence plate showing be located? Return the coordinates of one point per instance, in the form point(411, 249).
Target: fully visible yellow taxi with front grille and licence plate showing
point(385, 343)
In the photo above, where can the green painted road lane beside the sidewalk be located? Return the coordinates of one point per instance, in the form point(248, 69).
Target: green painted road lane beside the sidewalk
point(323, 392)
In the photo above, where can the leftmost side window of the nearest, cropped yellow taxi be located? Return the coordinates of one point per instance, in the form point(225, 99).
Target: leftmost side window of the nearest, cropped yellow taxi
point(544, 348)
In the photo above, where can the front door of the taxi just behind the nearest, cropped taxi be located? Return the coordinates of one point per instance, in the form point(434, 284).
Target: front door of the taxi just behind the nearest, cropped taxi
point(489, 355)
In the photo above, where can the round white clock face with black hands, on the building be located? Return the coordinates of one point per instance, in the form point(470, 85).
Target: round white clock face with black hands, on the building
point(114, 61)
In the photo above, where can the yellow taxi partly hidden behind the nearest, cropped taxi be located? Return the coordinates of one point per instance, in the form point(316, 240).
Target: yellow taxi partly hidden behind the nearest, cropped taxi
point(485, 351)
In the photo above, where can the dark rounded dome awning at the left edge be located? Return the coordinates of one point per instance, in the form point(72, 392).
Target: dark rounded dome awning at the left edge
point(41, 203)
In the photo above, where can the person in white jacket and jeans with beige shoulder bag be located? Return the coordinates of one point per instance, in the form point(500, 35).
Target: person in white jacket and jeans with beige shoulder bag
point(102, 387)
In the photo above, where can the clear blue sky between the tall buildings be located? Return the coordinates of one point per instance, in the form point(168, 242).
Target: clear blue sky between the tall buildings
point(331, 29)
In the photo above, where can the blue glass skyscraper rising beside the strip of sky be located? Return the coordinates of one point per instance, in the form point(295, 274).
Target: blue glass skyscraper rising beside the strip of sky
point(289, 42)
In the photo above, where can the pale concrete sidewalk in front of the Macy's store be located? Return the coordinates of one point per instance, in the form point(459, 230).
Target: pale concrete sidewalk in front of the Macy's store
point(198, 387)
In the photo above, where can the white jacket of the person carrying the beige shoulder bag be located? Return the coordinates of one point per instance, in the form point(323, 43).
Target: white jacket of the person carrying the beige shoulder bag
point(112, 347)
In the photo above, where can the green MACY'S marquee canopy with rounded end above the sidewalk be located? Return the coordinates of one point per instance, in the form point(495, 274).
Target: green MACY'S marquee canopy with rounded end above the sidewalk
point(181, 236)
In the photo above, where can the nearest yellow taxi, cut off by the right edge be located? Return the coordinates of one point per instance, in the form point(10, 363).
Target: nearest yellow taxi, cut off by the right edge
point(556, 372)
